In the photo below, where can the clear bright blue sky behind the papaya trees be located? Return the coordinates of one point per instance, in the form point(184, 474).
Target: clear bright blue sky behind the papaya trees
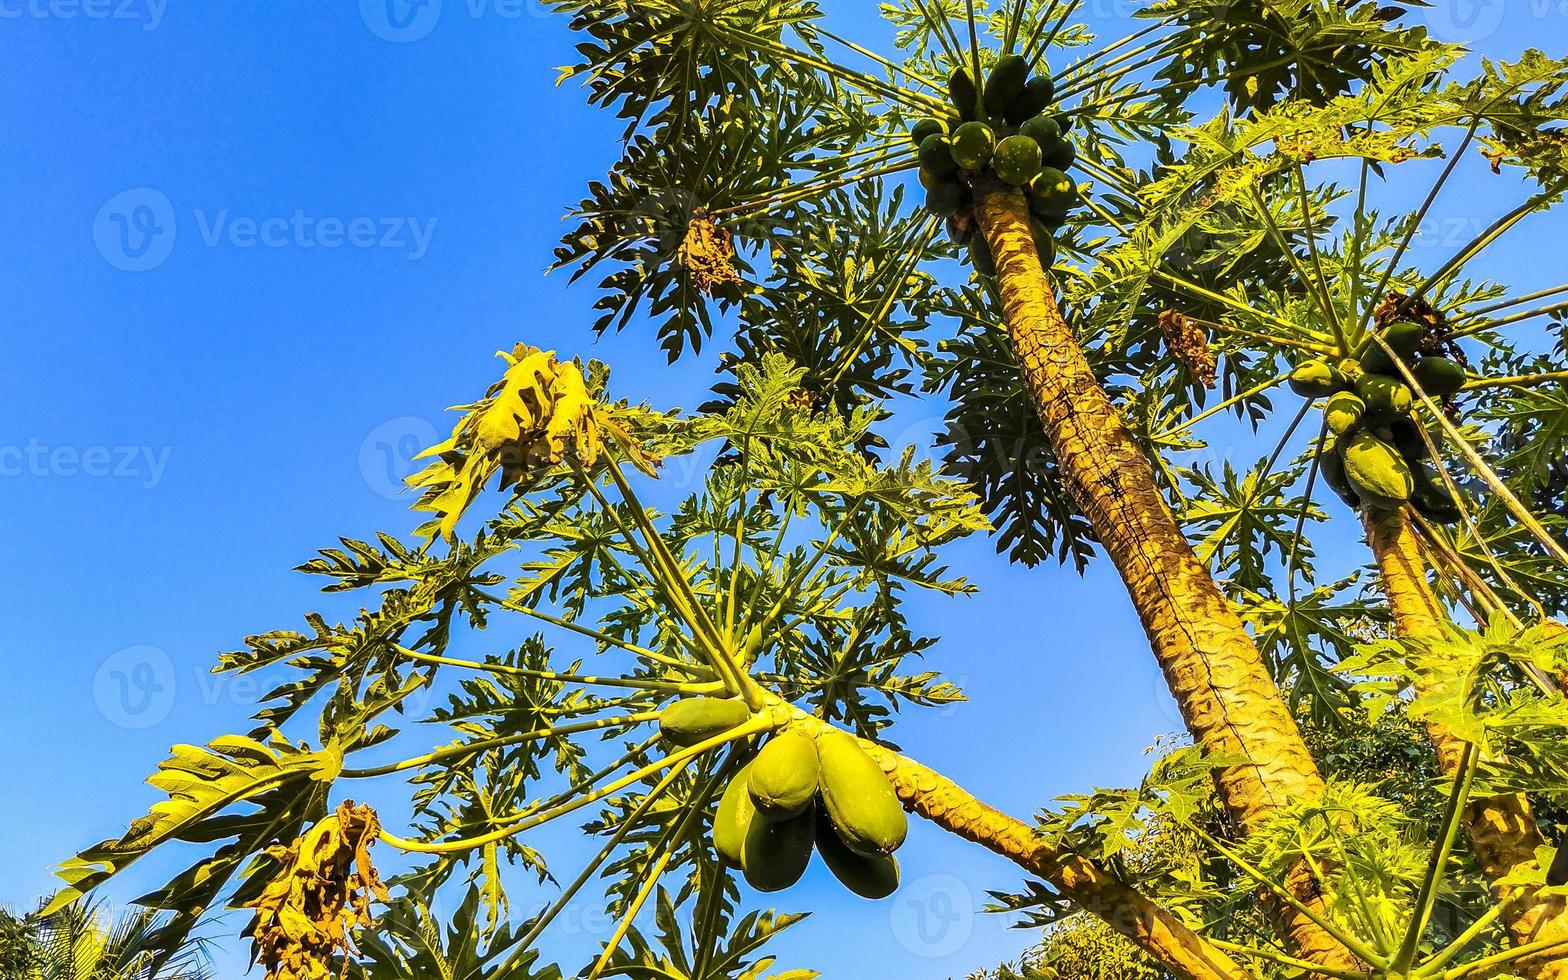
point(250, 255)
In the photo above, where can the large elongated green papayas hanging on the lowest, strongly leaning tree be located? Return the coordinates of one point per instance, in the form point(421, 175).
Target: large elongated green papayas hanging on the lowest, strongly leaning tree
point(796, 796)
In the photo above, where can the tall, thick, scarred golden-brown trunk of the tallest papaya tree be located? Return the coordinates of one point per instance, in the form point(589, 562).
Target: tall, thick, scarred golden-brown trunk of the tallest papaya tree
point(1222, 686)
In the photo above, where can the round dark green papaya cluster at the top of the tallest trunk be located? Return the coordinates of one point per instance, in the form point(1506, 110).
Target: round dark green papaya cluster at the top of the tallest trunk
point(1004, 131)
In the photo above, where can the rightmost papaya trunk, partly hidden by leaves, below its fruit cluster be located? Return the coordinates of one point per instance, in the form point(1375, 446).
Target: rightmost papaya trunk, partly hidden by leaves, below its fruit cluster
point(1503, 830)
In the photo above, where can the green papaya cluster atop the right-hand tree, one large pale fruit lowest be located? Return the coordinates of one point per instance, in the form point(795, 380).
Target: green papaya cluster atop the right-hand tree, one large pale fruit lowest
point(1377, 454)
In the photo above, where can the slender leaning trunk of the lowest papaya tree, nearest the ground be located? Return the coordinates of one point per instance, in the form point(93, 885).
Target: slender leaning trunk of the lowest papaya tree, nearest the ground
point(1158, 932)
